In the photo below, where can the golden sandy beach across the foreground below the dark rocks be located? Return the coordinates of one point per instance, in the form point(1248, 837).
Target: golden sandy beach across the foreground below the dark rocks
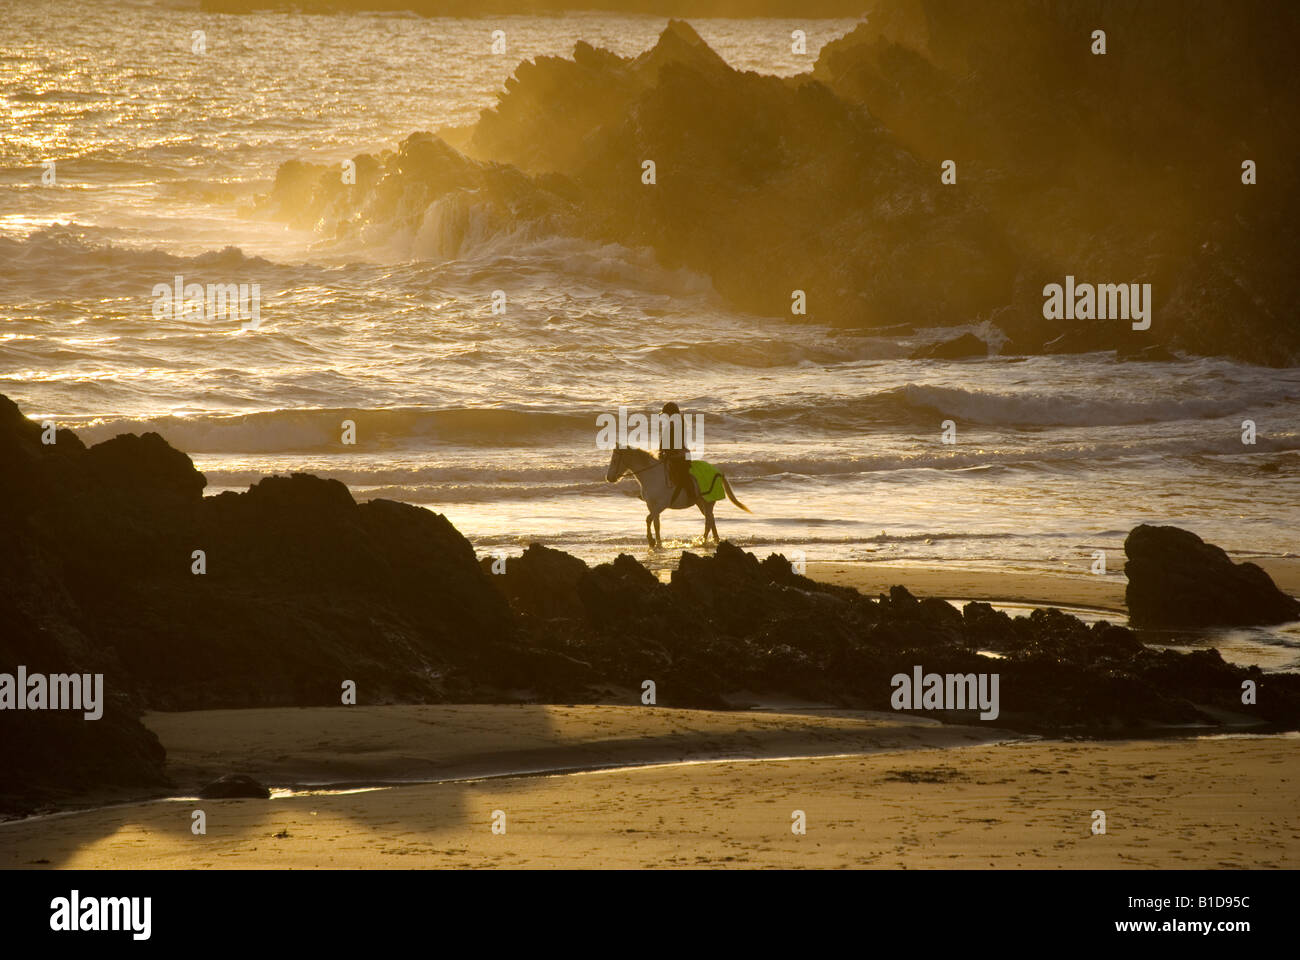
point(916, 795)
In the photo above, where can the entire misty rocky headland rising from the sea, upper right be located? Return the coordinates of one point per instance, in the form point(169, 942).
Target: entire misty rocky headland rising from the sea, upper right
point(1124, 168)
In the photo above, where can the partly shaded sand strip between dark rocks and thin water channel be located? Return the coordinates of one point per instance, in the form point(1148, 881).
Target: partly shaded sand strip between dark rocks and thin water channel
point(392, 746)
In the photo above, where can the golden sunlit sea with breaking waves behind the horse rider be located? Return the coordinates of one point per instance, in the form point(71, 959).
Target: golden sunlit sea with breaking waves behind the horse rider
point(833, 438)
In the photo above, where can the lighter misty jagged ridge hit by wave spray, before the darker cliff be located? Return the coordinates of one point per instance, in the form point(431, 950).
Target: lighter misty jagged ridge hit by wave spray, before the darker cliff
point(766, 185)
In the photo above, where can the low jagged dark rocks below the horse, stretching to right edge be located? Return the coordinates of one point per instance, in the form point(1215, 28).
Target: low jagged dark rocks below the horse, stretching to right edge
point(734, 622)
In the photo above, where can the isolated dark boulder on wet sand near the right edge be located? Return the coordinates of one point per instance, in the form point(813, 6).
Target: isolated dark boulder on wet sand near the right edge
point(1176, 580)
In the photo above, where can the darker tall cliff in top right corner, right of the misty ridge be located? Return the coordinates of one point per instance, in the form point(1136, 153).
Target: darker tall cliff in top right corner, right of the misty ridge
point(1123, 167)
